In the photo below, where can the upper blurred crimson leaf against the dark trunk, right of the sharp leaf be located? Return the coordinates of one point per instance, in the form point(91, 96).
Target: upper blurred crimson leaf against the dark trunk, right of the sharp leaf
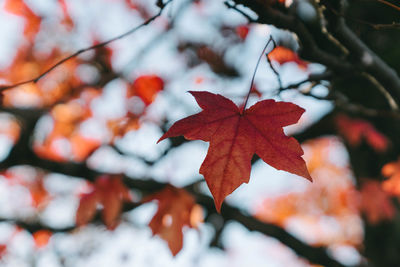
point(355, 130)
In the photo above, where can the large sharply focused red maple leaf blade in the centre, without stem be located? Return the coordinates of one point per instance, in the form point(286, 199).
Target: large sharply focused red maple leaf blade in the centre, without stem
point(235, 136)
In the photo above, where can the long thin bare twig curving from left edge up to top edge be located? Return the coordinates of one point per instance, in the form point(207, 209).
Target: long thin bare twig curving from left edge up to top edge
point(77, 53)
